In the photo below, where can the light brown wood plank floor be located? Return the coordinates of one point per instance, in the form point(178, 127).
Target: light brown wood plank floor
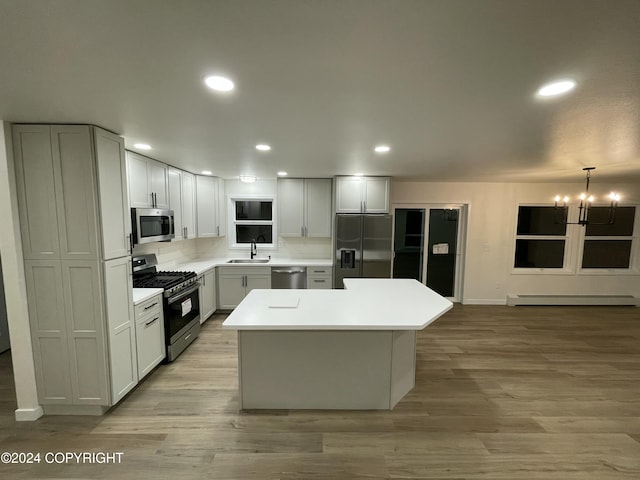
point(501, 393)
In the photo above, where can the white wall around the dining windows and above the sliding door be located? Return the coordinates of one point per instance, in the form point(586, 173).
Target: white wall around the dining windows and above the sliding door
point(492, 212)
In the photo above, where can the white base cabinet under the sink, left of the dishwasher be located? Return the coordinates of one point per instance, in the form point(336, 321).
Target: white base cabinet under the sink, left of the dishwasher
point(234, 283)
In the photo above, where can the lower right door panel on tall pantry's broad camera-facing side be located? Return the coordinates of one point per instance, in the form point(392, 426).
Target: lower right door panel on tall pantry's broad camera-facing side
point(84, 308)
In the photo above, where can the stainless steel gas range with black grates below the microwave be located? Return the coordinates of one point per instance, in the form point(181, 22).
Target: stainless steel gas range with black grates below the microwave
point(181, 302)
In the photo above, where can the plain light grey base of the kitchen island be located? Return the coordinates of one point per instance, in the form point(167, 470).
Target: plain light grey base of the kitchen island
point(336, 369)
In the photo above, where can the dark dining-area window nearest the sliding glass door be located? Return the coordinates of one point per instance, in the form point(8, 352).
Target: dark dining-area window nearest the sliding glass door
point(540, 237)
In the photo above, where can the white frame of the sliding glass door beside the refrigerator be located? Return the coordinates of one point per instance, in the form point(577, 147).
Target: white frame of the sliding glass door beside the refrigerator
point(461, 246)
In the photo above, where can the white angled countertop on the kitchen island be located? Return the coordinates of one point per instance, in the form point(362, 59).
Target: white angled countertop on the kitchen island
point(365, 304)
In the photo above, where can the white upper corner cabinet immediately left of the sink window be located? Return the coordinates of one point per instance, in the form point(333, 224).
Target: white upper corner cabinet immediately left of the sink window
point(210, 216)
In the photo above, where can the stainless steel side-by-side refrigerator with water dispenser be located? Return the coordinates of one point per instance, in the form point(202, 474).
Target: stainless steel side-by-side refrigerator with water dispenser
point(363, 247)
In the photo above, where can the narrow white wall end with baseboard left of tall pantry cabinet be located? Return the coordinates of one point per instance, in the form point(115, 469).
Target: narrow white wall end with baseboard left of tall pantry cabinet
point(15, 287)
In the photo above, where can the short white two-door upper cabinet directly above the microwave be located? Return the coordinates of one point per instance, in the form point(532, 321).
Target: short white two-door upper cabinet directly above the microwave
point(148, 182)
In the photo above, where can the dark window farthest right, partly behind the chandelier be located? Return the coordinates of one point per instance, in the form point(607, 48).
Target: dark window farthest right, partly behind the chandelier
point(609, 246)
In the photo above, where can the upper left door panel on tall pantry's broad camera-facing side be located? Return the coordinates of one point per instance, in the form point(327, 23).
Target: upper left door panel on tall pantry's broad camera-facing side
point(36, 192)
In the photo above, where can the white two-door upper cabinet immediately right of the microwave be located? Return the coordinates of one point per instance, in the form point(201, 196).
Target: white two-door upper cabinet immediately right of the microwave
point(182, 202)
